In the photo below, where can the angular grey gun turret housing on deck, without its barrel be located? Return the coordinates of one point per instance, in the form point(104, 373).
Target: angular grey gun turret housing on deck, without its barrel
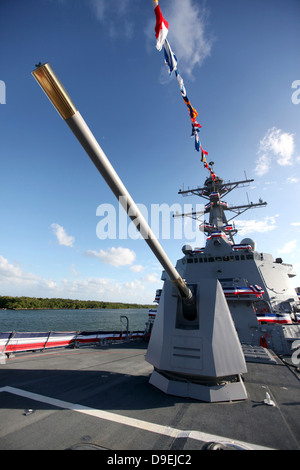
point(195, 349)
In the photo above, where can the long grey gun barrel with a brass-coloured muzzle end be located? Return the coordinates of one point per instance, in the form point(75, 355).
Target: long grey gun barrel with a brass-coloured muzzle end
point(51, 85)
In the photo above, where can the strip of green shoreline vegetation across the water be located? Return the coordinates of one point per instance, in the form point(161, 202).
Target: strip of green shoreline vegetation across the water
point(38, 303)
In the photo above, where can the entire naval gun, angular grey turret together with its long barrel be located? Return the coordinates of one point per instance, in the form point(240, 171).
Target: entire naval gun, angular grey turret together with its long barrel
point(194, 347)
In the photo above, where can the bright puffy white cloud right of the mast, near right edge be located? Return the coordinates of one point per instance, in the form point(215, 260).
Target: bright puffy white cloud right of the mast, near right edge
point(277, 145)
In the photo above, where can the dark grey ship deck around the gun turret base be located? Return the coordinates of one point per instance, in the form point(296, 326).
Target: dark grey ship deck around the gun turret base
point(100, 398)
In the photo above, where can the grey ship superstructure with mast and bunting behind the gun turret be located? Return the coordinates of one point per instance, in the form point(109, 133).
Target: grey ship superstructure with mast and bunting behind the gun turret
point(257, 287)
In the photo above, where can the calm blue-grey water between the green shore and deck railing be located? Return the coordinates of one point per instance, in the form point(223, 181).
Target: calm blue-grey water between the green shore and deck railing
point(72, 320)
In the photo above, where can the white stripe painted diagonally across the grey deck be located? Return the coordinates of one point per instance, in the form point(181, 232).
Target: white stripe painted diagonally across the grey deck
point(127, 421)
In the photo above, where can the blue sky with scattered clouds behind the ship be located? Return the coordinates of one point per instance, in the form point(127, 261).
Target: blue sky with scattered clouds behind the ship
point(239, 61)
